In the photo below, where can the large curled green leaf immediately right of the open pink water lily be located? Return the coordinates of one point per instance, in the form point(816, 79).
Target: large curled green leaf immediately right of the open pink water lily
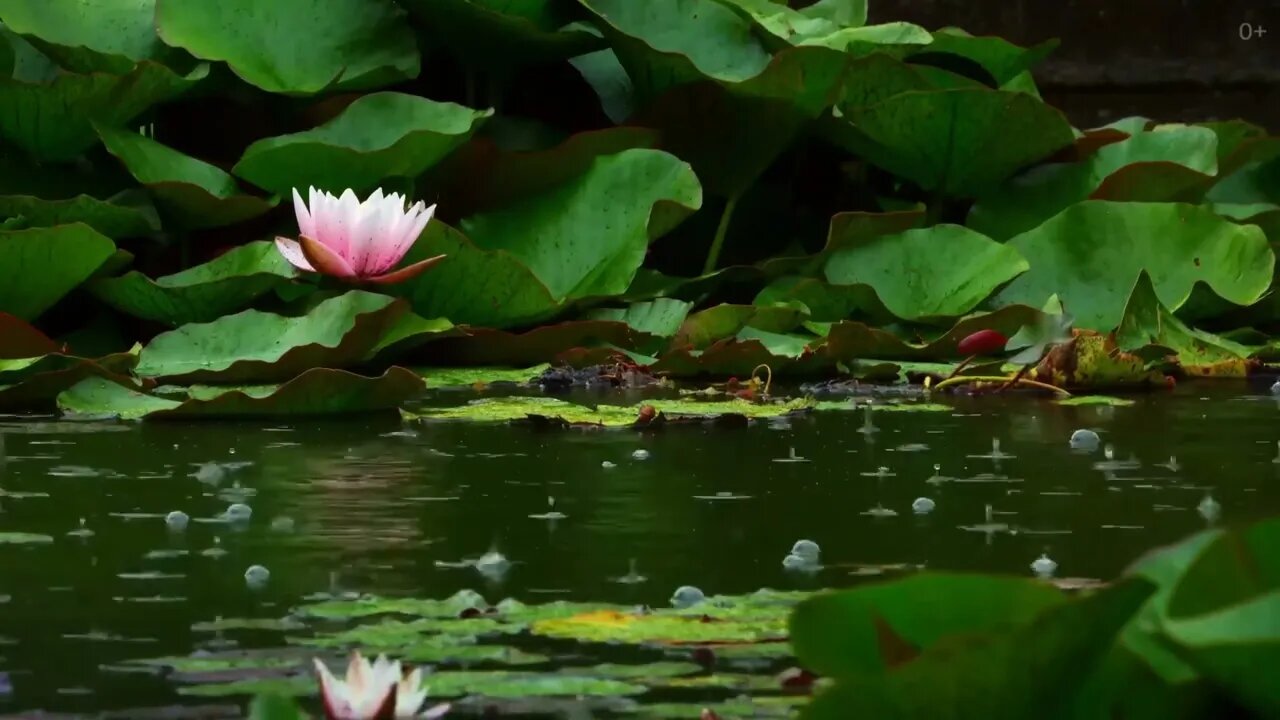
point(584, 239)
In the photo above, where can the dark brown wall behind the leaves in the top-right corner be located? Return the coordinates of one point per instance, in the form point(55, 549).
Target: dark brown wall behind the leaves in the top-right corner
point(1165, 60)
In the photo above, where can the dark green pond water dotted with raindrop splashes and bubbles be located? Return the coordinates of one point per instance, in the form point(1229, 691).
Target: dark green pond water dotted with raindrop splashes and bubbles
point(374, 507)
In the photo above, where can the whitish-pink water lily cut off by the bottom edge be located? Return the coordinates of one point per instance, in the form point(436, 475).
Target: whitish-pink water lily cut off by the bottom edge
point(374, 691)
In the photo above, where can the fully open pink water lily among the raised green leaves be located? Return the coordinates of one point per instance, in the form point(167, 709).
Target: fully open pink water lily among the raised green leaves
point(356, 241)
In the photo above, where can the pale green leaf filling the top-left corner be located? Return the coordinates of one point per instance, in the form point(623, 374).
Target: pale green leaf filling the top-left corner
point(89, 35)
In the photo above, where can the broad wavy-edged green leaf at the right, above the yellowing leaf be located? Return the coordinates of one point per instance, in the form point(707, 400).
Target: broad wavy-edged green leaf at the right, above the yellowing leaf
point(1090, 256)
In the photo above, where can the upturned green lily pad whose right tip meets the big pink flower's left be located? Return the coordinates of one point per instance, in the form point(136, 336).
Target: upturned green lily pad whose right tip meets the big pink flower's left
point(202, 294)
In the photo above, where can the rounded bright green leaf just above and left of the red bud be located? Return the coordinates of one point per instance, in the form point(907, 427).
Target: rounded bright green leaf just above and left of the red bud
point(929, 274)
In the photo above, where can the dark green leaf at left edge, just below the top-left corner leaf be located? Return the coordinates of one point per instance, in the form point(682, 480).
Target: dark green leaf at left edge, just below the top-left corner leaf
point(53, 119)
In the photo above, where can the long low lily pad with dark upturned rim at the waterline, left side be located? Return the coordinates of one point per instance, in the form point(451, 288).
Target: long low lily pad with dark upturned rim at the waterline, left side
point(321, 391)
